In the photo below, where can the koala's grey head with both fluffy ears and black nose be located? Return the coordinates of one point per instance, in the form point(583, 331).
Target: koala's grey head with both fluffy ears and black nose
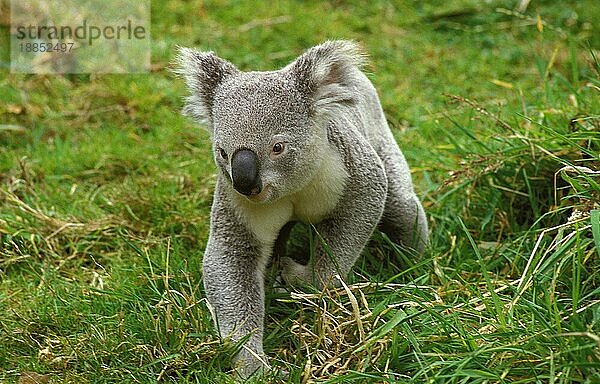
point(269, 129)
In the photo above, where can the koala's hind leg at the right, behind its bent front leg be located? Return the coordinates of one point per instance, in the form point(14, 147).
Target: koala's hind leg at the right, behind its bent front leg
point(404, 219)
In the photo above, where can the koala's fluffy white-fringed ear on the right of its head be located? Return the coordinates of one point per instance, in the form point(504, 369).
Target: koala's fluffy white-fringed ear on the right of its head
point(325, 73)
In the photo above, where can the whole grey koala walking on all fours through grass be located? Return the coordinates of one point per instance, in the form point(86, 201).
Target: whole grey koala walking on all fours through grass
point(308, 142)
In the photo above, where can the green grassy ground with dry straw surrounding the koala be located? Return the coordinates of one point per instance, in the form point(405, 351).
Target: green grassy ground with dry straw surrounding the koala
point(105, 193)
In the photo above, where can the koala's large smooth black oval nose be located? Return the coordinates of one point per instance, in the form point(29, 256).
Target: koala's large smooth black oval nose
point(244, 172)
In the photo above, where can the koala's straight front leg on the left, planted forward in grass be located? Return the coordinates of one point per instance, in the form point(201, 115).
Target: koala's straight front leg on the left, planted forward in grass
point(233, 268)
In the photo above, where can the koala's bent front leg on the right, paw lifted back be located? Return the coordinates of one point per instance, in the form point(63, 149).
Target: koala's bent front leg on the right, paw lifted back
point(349, 227)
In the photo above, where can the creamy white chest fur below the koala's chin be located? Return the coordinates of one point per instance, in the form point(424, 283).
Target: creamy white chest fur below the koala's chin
point(311, 204)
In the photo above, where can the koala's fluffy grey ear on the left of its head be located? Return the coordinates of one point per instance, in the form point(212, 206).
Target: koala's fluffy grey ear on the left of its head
point(202, 72)
